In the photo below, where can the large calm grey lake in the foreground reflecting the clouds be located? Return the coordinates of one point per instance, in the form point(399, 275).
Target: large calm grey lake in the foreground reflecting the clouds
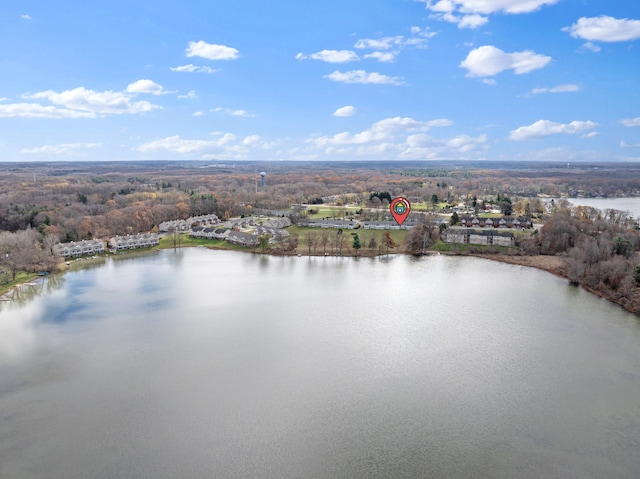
point(221, 364)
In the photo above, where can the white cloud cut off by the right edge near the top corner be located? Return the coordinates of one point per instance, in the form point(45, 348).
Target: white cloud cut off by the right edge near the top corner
point(605, 29)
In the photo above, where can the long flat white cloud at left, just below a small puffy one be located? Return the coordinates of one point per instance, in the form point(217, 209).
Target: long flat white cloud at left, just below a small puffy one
point(95, 102)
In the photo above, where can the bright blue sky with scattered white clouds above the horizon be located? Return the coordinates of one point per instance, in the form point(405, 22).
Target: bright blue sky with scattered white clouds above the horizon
point(367, 80)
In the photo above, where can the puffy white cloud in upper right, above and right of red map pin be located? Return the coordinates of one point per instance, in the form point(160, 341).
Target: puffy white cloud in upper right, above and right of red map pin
point(489, 60)
